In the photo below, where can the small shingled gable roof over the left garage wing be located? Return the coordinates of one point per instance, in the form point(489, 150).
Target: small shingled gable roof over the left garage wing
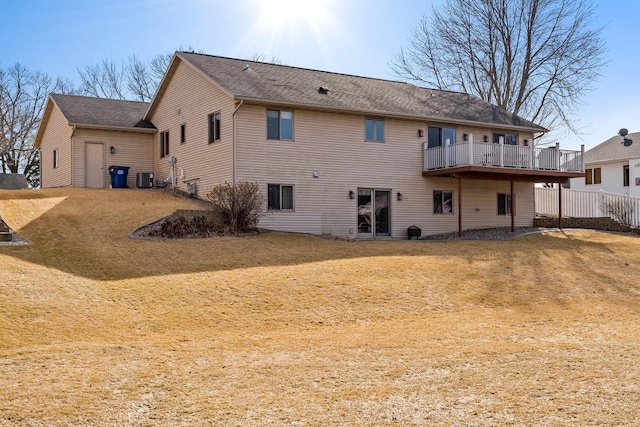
point(97, 113)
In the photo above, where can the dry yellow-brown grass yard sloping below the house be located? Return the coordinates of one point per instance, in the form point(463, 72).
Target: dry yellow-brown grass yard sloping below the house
point(284, 329)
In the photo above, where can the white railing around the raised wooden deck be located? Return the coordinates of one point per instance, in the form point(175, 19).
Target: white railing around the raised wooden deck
point(502, 155)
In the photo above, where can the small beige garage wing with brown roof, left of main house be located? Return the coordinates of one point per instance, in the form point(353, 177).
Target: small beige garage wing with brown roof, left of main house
point(80, 137)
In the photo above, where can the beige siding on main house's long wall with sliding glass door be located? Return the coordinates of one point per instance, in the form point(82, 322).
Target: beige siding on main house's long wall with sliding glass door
point(334, 145)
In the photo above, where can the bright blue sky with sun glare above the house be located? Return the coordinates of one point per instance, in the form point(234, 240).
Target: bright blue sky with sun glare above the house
point(348, 36)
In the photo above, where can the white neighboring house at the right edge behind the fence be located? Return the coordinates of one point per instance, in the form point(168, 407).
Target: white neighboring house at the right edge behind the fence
point(612, 166)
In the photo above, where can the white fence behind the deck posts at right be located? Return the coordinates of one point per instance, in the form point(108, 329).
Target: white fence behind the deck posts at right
point(589, 204)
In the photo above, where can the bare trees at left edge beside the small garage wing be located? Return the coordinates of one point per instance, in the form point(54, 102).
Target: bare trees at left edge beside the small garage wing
point(23, 97)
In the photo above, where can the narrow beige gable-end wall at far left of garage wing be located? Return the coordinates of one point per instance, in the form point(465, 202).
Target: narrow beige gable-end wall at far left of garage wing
point(57, 135)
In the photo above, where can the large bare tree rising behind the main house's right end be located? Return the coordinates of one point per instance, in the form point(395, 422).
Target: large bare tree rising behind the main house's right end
point(534, 58)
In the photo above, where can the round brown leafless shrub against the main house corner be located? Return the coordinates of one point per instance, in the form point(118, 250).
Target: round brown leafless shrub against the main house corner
point(240, 205)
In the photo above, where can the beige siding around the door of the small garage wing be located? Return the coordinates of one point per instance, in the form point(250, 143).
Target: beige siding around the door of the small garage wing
point(131, 149)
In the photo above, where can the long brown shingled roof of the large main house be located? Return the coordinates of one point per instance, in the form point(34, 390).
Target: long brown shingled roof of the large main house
point(299, 87)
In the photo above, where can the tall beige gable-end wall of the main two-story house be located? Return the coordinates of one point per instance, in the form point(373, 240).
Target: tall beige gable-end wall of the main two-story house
point(189, 99)
